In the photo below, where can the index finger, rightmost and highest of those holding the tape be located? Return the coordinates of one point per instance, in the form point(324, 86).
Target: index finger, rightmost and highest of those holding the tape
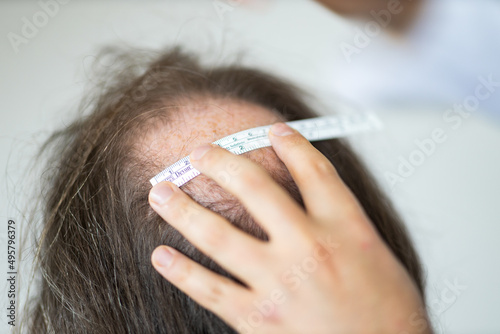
point(324, 193)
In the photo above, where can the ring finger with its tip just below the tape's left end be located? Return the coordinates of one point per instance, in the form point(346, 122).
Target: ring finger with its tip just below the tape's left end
point(231, 248)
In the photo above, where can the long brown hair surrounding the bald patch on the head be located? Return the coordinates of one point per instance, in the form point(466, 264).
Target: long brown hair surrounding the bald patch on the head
point(98, 228)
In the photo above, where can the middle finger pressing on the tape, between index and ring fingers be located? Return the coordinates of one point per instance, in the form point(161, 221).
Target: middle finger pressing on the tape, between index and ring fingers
point(269, 204)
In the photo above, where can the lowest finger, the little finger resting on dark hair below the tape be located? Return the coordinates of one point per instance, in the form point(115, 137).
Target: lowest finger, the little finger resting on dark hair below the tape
point(216, 293)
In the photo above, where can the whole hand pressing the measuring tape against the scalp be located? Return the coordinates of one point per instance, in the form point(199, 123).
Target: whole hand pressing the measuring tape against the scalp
point(324, 270)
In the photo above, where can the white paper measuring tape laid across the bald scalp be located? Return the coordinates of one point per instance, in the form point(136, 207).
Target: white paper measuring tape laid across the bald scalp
point(313, 129)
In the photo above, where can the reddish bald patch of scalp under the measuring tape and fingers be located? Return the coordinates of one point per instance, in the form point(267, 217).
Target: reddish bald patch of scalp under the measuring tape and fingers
point(205, 121)
